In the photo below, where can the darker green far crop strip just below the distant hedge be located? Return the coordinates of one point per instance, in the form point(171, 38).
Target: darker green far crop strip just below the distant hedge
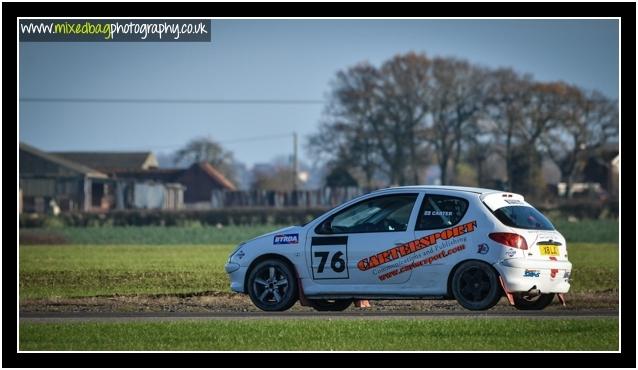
point(585, 231)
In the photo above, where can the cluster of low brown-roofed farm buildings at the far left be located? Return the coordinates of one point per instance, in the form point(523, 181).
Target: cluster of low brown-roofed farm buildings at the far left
point(99, 181)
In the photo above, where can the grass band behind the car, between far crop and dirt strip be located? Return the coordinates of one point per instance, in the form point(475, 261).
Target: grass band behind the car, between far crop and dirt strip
point(85, 271)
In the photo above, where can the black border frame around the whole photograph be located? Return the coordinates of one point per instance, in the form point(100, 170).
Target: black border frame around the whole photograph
point(627, 12)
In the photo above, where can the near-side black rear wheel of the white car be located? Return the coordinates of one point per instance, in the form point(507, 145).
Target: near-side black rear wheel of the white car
point(475, 286)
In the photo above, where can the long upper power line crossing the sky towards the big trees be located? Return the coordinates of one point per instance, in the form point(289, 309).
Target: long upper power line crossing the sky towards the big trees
point(173, 101)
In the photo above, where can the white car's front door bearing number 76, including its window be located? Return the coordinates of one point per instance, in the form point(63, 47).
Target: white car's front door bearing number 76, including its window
point(353, 247)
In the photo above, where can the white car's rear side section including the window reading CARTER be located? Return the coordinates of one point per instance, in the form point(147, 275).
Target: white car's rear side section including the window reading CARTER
point(443, 228)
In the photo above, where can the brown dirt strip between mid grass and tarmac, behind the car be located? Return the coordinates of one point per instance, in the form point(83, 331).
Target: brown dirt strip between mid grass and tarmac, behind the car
point(219, 302)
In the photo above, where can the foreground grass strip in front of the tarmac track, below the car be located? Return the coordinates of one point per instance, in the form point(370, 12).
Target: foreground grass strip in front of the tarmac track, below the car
point(324, 335)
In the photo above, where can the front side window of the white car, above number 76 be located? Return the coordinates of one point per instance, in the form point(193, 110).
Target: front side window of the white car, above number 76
point(380, 214)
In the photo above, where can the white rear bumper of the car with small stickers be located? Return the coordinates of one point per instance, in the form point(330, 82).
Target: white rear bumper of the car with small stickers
point(521, 275)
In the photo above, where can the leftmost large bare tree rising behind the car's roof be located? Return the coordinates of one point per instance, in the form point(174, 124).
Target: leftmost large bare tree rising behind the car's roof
point(375, 119)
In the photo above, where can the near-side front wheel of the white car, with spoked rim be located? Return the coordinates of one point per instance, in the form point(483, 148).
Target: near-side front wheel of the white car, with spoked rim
point(272, 285)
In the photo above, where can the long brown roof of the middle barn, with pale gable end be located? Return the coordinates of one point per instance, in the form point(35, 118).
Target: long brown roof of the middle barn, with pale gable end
point(111, 161)
